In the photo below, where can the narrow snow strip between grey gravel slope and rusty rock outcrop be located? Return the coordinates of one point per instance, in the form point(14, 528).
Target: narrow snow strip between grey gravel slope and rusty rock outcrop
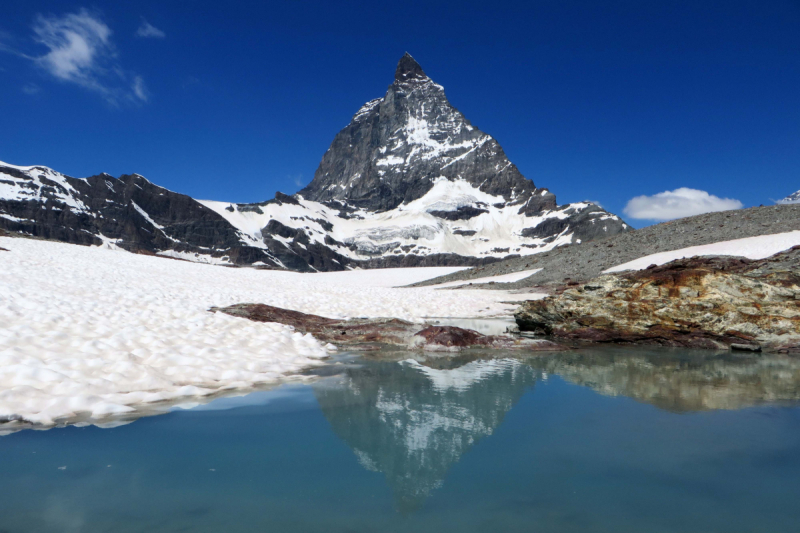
point(751, 247)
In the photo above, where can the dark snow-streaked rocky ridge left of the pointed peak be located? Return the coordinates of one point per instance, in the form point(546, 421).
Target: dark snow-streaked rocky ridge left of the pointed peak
point(129, 212)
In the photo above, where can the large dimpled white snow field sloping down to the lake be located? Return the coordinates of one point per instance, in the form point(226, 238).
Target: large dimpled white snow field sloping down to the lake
point(96, 332)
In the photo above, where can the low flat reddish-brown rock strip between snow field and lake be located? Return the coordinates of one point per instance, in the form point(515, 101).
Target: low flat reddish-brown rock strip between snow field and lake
point(369, 333)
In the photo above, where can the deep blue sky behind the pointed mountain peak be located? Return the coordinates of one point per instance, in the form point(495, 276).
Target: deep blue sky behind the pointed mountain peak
point(595, 100)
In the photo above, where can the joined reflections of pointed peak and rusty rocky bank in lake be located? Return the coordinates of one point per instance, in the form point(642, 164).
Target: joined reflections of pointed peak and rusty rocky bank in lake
point(413, 420)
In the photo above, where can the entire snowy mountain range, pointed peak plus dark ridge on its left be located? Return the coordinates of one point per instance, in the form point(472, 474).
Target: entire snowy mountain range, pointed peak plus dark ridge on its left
point(408, 182)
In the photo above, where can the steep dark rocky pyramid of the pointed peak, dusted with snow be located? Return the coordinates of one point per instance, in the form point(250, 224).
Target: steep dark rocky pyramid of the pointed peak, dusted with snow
point(395, 146)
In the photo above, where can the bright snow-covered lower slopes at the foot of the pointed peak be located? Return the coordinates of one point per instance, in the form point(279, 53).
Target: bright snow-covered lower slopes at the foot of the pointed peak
point(419, 228)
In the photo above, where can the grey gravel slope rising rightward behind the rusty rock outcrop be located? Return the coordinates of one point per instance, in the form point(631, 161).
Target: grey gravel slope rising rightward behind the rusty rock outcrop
point(581, 262)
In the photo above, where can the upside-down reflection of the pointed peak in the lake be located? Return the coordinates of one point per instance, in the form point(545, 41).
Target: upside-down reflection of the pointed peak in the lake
point(412, 422)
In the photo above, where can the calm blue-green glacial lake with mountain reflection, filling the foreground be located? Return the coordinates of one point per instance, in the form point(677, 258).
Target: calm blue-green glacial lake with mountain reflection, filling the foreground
point(595, 440)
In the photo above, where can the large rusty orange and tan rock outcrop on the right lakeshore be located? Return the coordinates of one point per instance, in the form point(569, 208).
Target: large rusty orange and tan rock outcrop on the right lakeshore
point(703, 302)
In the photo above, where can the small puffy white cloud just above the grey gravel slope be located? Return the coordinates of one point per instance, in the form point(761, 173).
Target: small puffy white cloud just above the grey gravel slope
point(683, 202)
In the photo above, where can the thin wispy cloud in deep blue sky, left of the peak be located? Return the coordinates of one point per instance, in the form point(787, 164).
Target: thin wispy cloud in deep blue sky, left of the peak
point(81, 52)
